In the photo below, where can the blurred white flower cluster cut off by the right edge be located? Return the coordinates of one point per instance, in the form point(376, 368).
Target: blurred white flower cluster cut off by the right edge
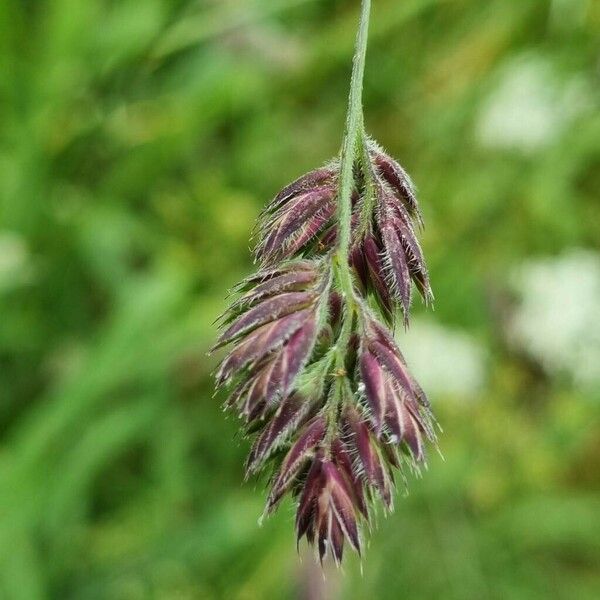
point(558, 320)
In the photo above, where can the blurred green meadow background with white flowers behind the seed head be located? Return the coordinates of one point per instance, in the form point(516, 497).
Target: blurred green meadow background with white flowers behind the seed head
point(139, 140)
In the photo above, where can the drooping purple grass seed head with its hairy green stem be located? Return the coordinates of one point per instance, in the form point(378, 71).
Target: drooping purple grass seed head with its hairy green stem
point(313, 367)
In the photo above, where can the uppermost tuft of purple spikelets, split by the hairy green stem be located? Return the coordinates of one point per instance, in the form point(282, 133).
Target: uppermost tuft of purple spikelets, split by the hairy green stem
point(386, 255)
